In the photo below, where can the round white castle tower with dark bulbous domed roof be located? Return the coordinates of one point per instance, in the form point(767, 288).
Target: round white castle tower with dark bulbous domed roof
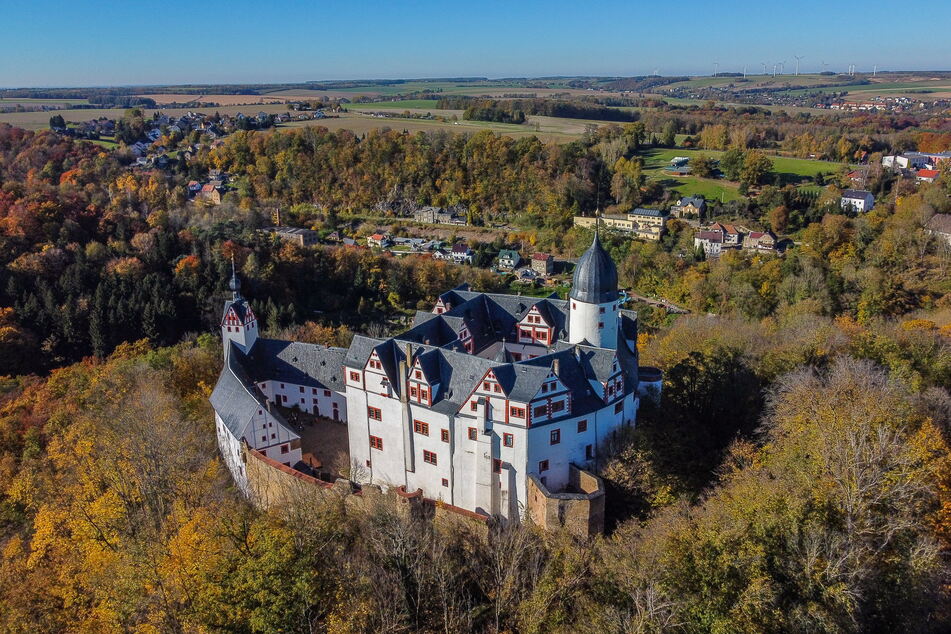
point(593, 314)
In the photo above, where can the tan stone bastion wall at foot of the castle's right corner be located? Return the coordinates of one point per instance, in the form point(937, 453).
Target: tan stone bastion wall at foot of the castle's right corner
point(580, 511)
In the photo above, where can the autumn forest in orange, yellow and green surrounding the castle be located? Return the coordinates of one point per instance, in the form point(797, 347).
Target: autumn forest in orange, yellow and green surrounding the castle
point(794, 478)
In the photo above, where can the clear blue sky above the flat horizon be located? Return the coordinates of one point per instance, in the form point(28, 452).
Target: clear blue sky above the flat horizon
point(59, 43)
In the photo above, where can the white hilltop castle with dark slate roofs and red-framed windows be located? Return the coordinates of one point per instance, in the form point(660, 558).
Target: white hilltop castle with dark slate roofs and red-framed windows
point(484, 402)
